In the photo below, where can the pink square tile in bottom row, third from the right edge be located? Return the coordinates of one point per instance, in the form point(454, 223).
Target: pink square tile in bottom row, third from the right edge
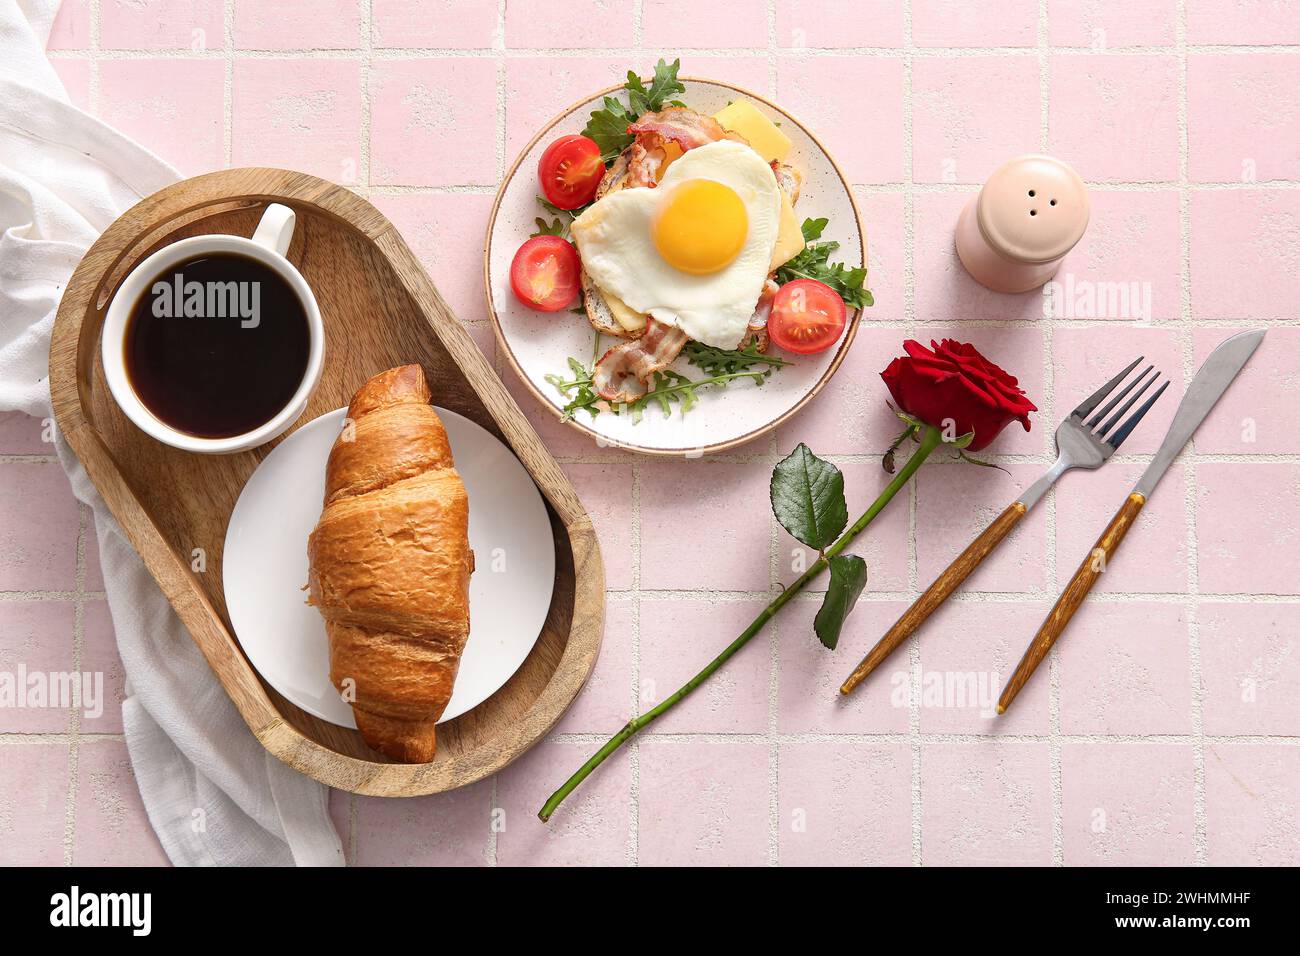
point(986, 803)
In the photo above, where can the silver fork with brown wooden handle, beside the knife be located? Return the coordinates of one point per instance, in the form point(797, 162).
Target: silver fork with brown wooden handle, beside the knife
point(1082, 443)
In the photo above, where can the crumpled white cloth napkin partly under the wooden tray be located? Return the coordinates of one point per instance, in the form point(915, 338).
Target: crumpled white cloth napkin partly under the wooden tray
point(214, 795)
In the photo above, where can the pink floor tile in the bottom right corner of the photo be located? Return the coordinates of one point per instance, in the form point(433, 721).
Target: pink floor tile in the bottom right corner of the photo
point(1251, 794)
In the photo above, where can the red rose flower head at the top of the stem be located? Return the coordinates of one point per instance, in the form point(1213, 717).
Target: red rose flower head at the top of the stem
point(956, 384)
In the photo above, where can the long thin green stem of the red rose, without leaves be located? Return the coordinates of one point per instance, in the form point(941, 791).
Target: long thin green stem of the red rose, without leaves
point(930, 440)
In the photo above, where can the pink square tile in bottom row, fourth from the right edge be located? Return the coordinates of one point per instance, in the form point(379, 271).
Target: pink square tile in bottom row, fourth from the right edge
point(846, 804)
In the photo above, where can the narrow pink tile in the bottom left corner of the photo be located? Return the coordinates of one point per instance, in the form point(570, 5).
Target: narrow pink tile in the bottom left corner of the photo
point(34, 780)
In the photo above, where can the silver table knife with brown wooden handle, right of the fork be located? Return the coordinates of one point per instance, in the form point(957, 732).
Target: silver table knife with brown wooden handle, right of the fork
point(1211, 383)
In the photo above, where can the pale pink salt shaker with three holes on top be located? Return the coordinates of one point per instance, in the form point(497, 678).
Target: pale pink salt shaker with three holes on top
point(1015, 233)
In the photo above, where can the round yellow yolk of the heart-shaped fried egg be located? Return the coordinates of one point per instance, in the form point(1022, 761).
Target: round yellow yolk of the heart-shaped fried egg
point(701, 228)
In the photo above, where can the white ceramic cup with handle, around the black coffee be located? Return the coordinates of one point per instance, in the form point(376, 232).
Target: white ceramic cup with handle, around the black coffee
point(268, 246)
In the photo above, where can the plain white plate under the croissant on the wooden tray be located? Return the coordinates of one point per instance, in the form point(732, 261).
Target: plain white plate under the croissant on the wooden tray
point(265, 568)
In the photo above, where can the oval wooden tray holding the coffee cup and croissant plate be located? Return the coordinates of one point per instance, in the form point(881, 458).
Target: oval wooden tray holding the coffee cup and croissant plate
point(380, 310)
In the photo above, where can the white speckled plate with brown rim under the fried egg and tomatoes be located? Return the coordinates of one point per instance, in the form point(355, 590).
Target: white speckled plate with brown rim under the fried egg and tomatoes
point(538, 344)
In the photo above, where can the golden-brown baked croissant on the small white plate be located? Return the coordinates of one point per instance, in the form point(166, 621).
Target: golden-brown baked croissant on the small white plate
point(391, 565)
